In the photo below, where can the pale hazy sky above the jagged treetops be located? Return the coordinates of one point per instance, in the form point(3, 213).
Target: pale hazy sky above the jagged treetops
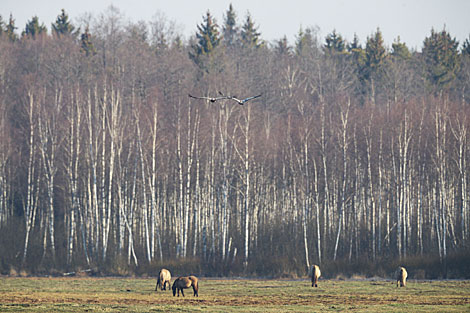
point(411, 20)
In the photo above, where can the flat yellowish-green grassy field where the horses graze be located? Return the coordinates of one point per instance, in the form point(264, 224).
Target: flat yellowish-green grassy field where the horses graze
point(225, 295)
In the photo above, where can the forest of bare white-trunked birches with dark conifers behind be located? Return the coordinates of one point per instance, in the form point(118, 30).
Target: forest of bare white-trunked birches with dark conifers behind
point(355, 154)
